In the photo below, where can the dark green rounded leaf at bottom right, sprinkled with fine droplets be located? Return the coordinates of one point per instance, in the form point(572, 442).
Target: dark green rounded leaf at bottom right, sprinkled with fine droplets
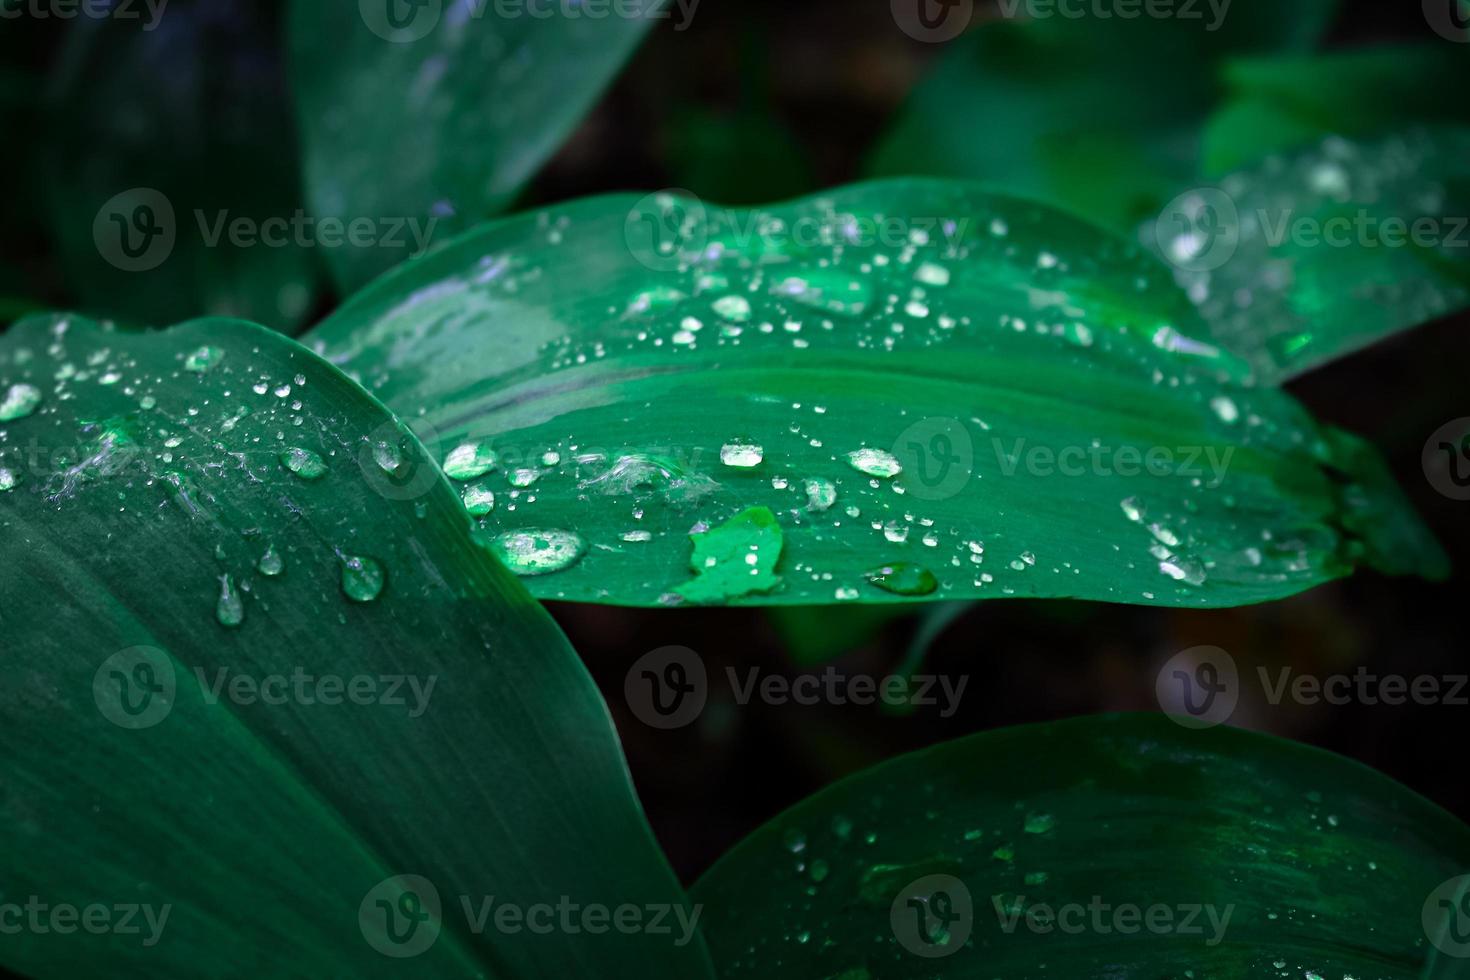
point(1324, 866)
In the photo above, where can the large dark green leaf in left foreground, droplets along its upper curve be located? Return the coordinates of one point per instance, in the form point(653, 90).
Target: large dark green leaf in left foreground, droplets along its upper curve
point(214, 505)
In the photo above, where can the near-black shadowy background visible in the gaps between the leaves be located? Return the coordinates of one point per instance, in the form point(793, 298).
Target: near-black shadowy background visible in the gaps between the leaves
point(767, 99)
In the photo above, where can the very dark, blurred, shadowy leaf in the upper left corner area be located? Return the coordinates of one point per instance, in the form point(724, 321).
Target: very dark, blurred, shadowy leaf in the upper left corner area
point(164, 133)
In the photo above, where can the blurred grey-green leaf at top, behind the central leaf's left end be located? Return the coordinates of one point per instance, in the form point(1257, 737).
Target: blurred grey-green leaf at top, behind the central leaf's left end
point(443, 115)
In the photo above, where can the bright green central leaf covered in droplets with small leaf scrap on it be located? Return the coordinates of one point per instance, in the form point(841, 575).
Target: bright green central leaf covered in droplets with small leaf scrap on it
point(648, 370)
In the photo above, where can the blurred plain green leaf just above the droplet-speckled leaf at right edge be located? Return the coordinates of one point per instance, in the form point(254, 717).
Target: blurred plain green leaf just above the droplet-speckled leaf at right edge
point(1286, 104)
